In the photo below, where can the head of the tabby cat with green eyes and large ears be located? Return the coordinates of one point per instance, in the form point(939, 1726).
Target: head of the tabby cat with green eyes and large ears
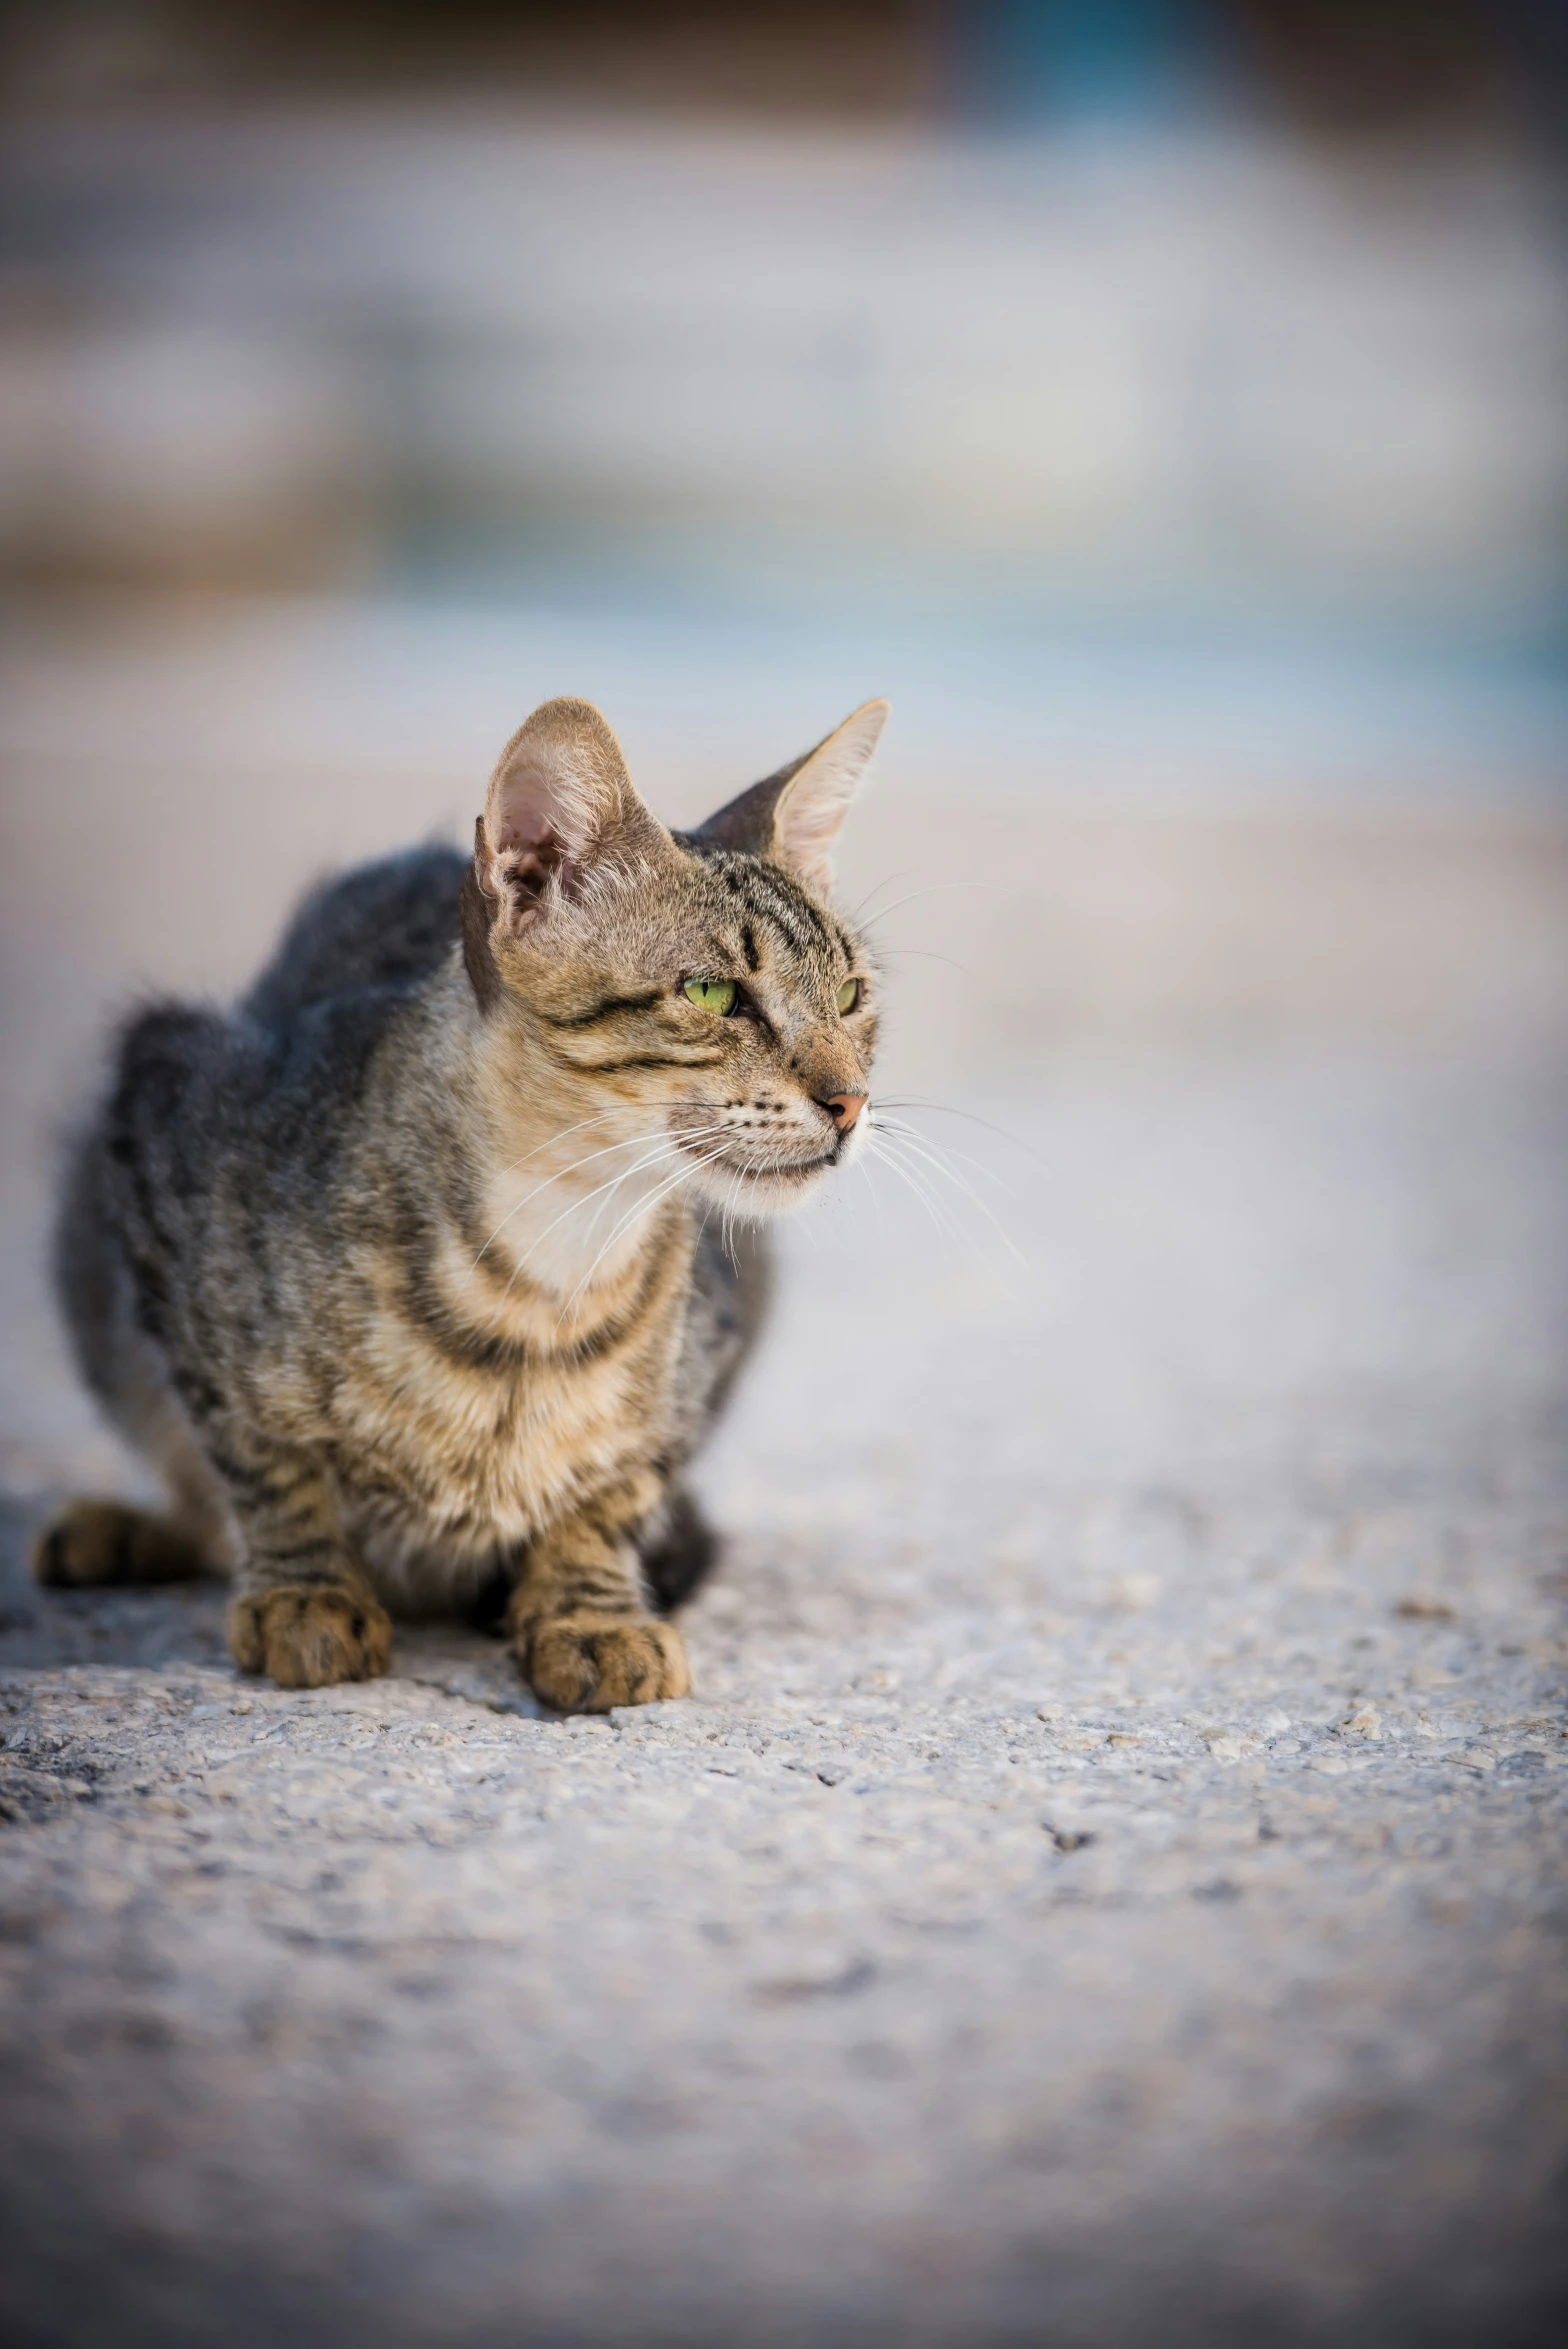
point(691, 988)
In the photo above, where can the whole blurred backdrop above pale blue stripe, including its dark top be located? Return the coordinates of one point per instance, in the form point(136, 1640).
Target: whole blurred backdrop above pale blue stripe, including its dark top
point(1025, 299)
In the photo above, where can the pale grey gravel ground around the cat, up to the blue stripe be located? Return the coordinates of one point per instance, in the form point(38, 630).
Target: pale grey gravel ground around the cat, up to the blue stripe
point(1107, 1887)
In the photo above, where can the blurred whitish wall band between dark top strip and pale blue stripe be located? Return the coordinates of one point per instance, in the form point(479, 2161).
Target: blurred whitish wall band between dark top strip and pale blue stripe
point(1156, 370)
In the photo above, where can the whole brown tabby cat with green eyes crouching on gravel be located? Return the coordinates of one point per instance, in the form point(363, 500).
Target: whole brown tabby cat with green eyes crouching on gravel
point(405, 1277)
